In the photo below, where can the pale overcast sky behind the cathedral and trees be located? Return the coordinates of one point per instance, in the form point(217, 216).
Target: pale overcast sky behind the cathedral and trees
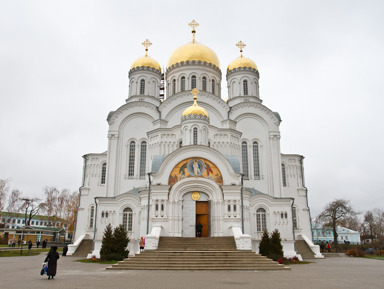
point(64, 66)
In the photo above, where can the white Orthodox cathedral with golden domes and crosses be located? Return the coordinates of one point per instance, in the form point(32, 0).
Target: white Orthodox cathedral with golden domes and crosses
point(179, 155)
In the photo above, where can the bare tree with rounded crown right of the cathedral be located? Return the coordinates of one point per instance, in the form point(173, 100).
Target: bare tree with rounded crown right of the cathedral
point(334, 214)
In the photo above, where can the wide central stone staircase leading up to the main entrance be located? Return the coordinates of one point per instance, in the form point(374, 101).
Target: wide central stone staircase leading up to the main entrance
point(217, 253)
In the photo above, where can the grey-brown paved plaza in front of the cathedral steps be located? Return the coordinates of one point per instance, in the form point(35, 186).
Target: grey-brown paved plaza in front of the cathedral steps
point(331, 273)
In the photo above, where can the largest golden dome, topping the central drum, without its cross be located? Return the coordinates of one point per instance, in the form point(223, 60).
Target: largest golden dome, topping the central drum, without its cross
point(194, 51)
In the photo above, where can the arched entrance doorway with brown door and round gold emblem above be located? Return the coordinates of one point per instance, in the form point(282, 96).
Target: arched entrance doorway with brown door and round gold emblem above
point(196, 214)
